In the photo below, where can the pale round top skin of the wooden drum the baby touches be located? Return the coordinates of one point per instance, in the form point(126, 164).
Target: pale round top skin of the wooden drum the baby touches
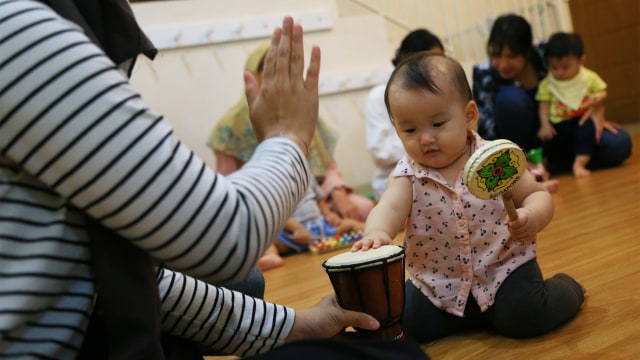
point(361, 259)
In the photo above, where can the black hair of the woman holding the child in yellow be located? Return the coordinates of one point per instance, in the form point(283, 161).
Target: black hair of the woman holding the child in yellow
point(512, 31)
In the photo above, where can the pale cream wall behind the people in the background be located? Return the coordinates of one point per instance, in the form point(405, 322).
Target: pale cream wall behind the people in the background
point(193, 86)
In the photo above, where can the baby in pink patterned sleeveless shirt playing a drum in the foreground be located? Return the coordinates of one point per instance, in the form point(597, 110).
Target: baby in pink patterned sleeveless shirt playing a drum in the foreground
point(470, 266)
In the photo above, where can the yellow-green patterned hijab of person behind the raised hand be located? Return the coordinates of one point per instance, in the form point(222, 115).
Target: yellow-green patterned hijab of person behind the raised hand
point(234, 136)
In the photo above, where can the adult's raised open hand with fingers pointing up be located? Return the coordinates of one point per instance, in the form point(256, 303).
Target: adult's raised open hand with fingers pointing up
point(286, 104)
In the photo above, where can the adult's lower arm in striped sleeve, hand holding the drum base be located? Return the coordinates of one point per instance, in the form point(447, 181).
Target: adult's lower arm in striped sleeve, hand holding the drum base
point(234, 323)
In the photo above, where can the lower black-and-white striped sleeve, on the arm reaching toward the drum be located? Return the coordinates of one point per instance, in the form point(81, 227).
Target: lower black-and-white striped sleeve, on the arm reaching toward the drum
point(221, 319)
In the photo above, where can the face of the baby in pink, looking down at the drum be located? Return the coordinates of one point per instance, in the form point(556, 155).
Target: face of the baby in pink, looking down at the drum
point(432, 127)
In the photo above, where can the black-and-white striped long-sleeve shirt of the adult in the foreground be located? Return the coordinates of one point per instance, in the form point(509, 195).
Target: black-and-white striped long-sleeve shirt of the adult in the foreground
point(75, 139)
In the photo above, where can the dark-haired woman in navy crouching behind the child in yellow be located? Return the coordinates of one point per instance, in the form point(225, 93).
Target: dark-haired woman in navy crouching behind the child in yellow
point(505, 87)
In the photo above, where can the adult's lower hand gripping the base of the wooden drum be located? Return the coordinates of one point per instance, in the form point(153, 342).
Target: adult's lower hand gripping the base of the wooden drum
point(326, 319)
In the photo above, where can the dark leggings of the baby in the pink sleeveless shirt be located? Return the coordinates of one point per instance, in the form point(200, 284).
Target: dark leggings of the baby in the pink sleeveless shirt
point(526, 305)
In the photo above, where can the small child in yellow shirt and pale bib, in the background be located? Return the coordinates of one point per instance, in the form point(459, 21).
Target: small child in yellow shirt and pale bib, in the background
point(570, 95)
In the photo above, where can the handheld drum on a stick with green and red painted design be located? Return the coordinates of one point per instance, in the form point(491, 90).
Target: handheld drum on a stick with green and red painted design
point(493, 169)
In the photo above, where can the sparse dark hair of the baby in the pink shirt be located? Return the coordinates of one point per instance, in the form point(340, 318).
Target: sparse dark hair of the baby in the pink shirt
point(424, 71)
